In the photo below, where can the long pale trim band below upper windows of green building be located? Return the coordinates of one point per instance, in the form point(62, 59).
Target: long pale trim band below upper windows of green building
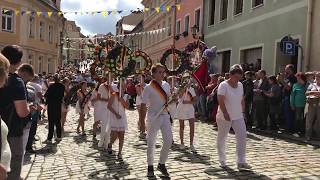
point(257, 19)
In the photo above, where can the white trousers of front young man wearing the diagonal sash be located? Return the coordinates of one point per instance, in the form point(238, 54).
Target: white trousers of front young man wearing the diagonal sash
point(153, 126)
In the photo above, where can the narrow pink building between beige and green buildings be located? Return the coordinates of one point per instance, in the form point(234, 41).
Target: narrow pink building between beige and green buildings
point(191, 14)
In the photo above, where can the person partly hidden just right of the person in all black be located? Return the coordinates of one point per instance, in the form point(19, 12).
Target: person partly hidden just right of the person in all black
point(65, 104)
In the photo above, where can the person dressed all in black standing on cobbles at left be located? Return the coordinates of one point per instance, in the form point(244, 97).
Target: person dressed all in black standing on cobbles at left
point(54, 96)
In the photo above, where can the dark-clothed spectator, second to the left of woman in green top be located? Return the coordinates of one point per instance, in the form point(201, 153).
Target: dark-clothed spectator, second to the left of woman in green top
point(274, 101)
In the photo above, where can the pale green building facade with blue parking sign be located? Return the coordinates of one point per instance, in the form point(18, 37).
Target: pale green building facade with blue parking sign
point(250, 31)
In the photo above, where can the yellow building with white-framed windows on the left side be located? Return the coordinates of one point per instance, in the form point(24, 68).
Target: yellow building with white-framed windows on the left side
point(37, 34)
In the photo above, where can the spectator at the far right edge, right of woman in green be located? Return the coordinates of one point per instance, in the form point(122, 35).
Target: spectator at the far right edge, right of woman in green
point(313, 110)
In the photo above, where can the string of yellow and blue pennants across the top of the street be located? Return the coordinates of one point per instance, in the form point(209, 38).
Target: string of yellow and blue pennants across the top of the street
point(104, 13)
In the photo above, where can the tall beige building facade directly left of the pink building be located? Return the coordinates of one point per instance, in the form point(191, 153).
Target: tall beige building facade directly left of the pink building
point(155, 44)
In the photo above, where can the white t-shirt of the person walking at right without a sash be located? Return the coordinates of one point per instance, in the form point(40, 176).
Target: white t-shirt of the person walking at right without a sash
point(232, 100)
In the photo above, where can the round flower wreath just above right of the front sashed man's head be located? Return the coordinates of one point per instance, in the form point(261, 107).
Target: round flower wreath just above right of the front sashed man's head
point(180, 56)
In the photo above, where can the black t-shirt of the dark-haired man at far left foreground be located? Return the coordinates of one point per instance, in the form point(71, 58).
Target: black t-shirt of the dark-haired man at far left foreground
point(14, 90)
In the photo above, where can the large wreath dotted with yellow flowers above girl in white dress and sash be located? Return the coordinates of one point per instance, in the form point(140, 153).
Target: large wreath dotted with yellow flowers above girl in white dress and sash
point(116, 58)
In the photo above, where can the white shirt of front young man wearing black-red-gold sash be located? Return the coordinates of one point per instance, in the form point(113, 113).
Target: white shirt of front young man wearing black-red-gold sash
point(151, 97)
